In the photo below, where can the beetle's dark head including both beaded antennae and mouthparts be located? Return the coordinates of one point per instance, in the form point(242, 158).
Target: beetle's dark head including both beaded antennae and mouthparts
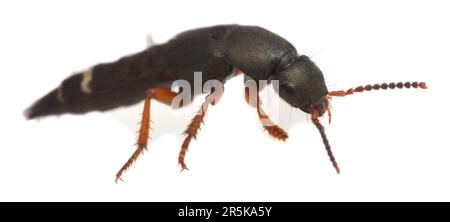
point(302, 85)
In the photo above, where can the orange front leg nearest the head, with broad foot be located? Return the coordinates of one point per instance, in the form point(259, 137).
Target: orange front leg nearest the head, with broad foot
point(272, 129)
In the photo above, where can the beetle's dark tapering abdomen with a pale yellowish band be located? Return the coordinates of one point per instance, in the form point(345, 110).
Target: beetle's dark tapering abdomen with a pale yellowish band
point(103, 87)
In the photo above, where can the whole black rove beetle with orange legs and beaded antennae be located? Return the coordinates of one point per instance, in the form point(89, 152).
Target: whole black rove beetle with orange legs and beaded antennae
point(219, 52)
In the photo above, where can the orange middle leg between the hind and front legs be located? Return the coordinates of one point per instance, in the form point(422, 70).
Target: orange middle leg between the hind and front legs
point(194, 126)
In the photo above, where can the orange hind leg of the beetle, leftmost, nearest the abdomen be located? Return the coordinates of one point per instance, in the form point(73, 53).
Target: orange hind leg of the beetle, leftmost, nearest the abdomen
point(162, 95)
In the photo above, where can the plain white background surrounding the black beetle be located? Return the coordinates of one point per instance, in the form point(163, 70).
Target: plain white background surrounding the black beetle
point(391, 145)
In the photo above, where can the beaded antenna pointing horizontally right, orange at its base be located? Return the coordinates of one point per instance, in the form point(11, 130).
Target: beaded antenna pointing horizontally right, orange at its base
point(391, 85)
